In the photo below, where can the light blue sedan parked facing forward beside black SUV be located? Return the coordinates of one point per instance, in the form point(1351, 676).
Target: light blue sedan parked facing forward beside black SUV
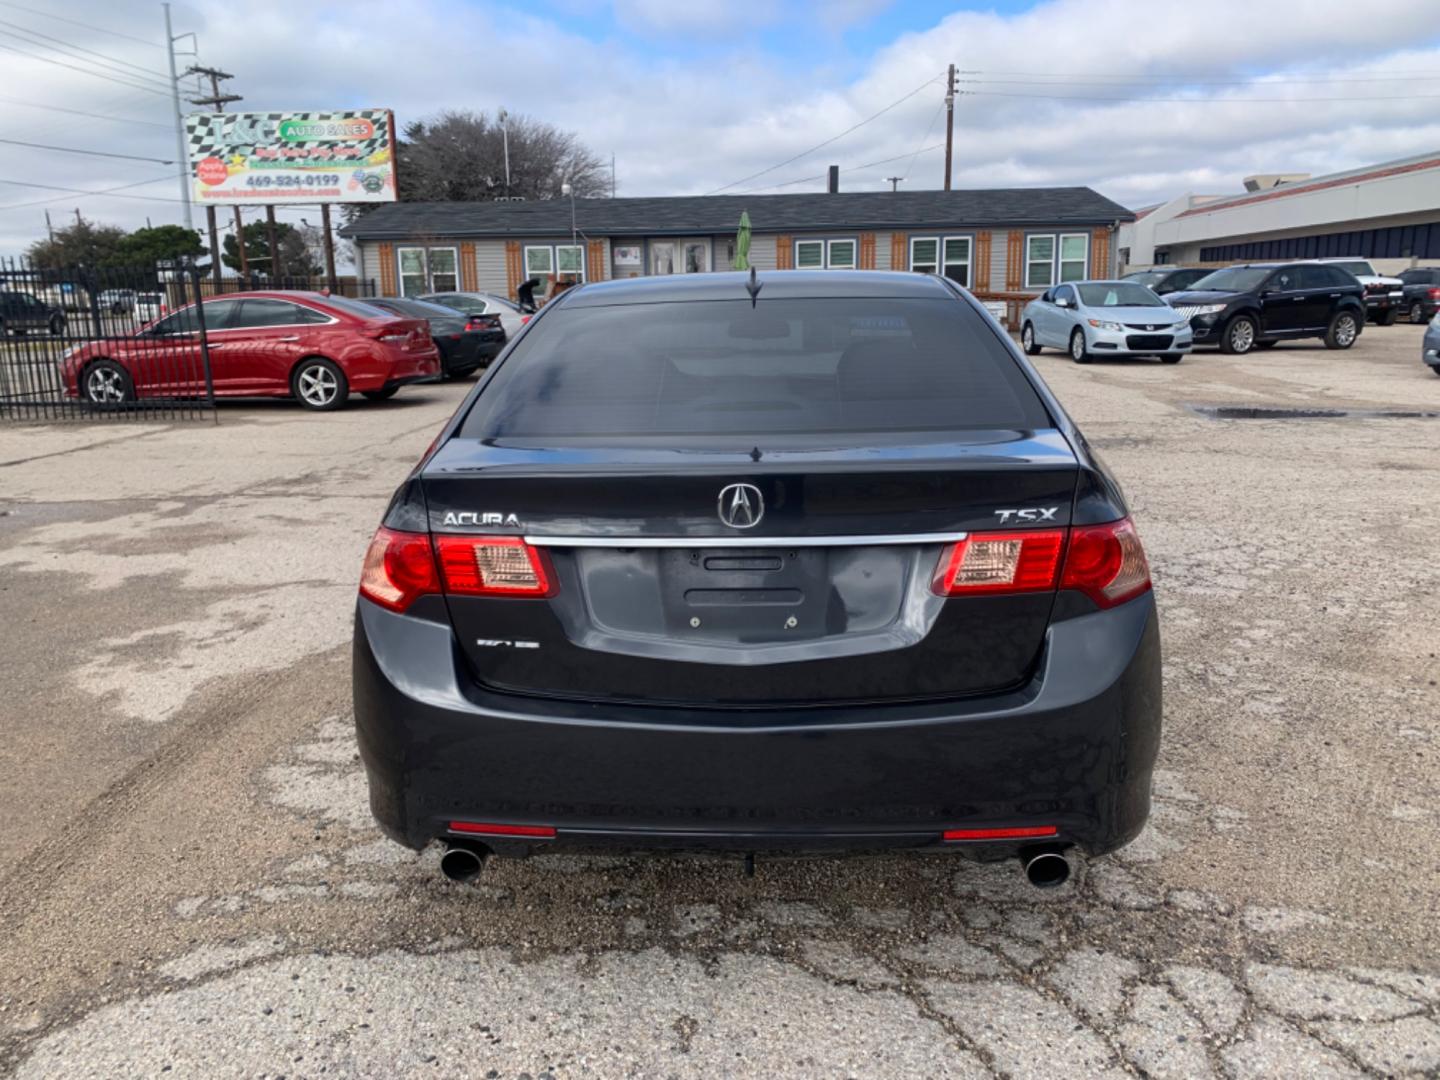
point(1091, 319)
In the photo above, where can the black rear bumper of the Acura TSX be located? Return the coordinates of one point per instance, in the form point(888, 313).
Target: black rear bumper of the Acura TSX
point(1075, 750)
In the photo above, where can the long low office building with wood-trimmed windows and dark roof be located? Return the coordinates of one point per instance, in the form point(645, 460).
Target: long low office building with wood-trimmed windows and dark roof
point(1004, 246)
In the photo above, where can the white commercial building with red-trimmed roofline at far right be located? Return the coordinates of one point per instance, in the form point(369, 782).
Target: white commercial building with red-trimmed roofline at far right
point(1389, 214)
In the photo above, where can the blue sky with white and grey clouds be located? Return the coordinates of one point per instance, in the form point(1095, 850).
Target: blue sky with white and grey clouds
point(1138, 100)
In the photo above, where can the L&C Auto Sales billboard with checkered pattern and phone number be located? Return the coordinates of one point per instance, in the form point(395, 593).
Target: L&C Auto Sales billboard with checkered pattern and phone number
point(292, 158)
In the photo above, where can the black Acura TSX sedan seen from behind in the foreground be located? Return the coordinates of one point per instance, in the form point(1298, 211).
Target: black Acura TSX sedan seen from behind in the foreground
point(819, 567)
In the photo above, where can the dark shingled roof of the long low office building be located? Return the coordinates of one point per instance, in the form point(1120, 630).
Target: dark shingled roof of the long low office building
point(770, 214)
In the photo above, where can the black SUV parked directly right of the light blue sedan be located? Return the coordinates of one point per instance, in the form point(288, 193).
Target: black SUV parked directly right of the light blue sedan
point(1258, 305)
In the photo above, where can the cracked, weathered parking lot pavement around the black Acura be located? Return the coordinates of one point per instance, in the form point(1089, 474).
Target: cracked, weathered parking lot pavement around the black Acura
point(191, 883)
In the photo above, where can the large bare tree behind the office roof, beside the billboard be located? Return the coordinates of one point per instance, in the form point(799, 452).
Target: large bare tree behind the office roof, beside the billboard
point(462, 158)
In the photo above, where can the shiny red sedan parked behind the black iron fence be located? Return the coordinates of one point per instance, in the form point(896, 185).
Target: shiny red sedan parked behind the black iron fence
point(309, 346)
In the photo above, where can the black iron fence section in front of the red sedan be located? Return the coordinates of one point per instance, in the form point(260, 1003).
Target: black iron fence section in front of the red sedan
point(103, 343)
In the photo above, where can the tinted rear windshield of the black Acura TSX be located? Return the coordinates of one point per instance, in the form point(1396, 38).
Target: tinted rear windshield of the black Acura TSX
point(735, 369)
